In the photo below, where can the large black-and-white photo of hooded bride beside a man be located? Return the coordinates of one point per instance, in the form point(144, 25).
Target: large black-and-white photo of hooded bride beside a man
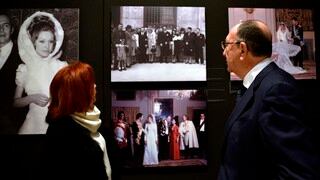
point(32, 46)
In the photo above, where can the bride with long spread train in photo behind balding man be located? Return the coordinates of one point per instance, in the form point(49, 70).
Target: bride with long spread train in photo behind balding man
point(283, 50)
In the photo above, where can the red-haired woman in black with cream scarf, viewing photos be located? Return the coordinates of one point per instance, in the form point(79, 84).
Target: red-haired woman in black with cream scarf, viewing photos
point(76, 148)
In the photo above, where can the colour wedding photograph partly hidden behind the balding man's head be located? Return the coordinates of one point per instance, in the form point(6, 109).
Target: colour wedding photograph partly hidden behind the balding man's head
point(293, 48)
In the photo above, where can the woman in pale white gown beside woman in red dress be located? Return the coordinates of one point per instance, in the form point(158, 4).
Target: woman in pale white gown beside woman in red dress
point(150, 156)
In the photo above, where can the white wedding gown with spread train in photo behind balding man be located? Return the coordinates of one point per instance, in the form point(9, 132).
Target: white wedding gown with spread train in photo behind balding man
point(281, 53)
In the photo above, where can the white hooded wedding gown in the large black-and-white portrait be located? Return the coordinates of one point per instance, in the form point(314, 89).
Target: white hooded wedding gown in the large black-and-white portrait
point(36, 74)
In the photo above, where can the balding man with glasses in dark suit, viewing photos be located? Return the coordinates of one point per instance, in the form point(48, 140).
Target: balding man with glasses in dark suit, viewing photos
point(265, 136)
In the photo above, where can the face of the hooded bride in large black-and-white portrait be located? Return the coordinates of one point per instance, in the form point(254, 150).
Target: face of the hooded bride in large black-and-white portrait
point(44, 43)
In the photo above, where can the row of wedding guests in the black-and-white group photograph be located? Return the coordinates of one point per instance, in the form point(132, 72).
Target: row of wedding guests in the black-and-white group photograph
point(156, 44)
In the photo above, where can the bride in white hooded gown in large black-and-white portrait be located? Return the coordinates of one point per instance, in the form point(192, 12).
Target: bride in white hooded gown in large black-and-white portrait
point(39, 41)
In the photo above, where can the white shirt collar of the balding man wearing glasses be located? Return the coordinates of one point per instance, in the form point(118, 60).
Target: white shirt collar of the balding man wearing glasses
point(252, 74)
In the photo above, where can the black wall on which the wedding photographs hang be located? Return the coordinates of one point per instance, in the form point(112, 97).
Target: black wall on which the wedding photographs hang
point(21, 156)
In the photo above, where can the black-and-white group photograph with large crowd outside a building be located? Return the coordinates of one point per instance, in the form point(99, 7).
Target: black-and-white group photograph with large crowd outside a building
point(157, 43)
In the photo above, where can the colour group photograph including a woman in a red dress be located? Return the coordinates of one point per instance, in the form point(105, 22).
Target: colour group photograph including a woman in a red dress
point(159, 128)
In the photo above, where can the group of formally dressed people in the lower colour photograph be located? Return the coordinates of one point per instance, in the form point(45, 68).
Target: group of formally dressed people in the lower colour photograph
point(149, 141)
